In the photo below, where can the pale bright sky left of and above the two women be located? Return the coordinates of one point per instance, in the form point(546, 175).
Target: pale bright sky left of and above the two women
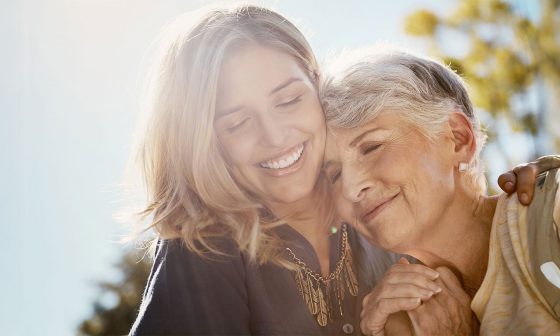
point(68, 103)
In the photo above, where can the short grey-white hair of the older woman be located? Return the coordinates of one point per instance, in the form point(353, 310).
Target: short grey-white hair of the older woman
point(423, 91)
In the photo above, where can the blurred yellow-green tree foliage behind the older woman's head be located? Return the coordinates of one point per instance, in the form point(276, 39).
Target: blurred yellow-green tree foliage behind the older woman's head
point(511, 59)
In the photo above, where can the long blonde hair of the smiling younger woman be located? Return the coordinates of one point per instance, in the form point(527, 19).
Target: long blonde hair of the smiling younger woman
point(191, 194)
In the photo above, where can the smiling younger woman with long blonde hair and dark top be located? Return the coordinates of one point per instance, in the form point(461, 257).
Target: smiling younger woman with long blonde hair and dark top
point(232, 153)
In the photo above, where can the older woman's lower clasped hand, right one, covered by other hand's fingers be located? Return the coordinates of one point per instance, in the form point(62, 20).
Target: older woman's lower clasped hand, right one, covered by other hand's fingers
point(448, 312)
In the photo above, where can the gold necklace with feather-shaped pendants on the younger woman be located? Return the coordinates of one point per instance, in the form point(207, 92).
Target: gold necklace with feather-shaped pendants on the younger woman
point(319, 292)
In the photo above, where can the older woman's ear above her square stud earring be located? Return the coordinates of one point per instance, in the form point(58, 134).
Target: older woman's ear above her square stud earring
point(462, 135)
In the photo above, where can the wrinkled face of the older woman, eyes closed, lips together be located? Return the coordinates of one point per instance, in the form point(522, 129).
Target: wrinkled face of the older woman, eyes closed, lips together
point(390, 181)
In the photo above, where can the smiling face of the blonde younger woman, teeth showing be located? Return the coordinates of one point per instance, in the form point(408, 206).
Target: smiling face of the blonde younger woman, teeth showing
point(270, 124)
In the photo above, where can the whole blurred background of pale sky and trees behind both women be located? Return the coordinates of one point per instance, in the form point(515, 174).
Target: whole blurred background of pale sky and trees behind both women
point(70, 79)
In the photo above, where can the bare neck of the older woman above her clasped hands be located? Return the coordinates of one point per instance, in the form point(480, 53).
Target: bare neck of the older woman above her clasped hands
point(460, 240)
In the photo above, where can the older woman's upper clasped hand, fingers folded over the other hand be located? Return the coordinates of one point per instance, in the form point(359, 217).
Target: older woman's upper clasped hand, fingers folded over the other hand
point(401, 289)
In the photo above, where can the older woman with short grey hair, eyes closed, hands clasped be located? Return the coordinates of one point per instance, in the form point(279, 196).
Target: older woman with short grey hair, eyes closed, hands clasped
point(403, 155)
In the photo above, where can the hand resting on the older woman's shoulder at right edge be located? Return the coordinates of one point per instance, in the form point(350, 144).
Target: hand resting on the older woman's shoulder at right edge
point(523, 177)
